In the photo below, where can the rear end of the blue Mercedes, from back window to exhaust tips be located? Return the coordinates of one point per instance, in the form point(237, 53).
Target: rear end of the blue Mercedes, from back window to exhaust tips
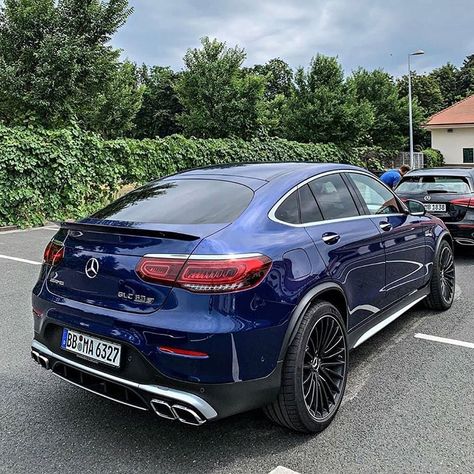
point(126, 305)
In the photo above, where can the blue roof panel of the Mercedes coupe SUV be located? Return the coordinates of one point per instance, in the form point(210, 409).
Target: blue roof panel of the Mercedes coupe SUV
point(265, 171)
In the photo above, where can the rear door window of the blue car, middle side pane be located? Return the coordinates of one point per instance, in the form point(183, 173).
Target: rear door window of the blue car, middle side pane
point(333, 197)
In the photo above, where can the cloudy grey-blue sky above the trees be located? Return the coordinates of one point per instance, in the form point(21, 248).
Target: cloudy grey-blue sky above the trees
point(368, 33)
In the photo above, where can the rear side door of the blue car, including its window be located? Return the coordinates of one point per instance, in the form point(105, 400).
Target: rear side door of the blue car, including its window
point(349, 243)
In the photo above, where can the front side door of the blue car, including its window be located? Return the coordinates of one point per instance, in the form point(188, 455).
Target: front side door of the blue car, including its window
point(403, 237)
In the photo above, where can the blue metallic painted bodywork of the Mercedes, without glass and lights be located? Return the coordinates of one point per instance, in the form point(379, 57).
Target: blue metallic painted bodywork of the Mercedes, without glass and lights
point(243, 332)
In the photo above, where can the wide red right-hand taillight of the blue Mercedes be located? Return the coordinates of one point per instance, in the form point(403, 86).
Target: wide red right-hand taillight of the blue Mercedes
point(203, 274)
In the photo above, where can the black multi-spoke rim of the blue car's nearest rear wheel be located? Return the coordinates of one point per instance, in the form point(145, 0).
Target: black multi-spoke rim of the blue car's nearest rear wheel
point(324, 367)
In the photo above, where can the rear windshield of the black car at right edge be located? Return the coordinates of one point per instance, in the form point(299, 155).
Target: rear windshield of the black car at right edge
point(440, 184)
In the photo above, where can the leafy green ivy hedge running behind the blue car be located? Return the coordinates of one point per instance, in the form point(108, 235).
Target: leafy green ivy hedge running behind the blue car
point(63, 174)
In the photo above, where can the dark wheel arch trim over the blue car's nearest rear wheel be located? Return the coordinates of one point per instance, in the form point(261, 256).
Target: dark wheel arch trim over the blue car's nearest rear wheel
point(328, 291)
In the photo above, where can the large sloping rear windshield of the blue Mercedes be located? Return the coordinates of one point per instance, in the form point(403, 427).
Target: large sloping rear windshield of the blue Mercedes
point(189, 201)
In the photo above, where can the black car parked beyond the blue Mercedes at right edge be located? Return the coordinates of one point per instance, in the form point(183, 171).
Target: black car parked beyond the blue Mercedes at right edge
point(447, 193)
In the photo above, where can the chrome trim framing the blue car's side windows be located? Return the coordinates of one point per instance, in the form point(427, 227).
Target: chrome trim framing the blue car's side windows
point(271, 214)
